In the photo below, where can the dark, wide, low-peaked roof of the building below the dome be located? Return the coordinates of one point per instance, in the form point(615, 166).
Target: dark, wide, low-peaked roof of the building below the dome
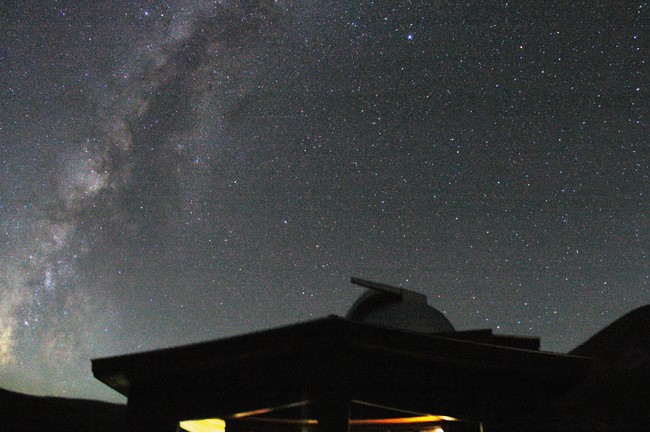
point(322, 338)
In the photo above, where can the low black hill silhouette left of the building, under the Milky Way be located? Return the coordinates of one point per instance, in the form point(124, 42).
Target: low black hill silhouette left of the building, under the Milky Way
point(23, 412)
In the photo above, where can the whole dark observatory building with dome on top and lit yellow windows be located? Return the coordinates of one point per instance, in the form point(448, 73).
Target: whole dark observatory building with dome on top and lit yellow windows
point(393, 363)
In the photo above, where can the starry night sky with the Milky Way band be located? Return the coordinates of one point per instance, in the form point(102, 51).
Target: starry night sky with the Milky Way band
point(179, 171)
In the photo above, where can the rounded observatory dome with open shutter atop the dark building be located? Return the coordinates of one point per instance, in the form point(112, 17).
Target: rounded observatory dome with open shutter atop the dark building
point(399, 308)
